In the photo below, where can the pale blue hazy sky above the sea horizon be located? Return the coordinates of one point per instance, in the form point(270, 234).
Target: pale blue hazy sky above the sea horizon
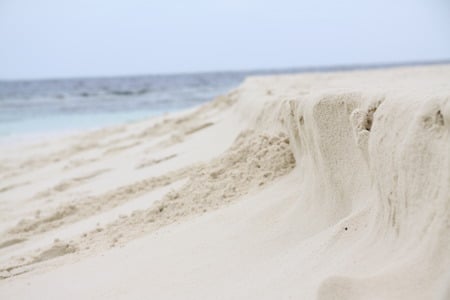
point(77, 38)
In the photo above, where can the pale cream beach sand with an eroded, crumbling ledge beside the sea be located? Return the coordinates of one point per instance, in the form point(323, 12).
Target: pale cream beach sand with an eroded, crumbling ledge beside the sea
point(310, 186)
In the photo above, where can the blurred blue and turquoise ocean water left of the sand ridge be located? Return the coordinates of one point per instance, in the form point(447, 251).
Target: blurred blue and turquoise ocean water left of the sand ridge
point(30, 108)
